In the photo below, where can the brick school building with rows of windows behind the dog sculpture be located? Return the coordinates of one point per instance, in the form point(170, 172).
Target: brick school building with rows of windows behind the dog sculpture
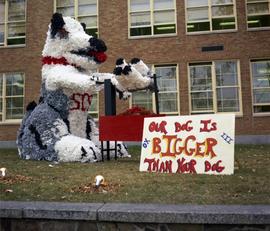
point(210, 56)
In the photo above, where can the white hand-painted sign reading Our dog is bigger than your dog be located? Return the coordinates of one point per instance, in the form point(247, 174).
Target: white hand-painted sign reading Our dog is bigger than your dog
point(189, 144)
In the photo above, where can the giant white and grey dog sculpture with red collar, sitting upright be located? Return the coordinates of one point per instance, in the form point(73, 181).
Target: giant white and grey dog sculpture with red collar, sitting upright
point(59, 127)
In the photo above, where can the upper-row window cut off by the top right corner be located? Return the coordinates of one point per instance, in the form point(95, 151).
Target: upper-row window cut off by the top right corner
point(258, 13)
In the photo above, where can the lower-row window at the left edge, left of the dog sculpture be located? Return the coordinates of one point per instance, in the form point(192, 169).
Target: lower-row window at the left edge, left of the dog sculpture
point(11, 96)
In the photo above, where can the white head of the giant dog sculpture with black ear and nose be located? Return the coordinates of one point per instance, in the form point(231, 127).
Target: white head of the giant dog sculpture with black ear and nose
point(67, 41)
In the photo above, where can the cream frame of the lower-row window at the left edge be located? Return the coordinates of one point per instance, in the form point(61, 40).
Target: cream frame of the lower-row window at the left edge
point(4, 99)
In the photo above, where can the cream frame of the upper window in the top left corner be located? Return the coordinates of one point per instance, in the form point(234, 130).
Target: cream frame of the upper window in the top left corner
point(6, 25)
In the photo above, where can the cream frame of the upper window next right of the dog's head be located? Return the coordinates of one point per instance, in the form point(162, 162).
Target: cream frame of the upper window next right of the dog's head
point(151, 10)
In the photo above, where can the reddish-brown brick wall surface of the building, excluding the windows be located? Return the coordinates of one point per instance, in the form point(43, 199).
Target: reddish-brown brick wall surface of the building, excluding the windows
point(180, 49)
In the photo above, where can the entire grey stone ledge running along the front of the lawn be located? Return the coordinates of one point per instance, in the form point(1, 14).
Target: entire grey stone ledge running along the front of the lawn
point(138, 213)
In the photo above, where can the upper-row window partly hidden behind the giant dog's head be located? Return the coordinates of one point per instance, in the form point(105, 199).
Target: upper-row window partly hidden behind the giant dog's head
point(85, 11)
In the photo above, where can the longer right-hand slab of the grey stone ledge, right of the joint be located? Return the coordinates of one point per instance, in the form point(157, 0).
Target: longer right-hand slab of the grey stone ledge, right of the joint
point(190, 214)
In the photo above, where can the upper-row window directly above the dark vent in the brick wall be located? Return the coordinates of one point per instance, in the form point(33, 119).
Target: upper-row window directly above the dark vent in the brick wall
point(210, 15)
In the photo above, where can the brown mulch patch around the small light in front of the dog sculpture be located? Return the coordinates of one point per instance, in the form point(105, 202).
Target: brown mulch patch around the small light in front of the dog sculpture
point(91, 188)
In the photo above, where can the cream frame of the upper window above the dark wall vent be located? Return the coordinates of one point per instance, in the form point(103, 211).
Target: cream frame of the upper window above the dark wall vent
point(210, 17)
